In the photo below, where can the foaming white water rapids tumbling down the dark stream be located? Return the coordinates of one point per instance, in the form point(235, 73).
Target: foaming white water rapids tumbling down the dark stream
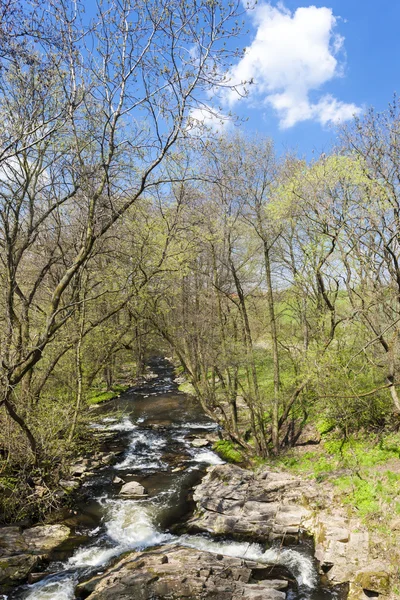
point(134, 524)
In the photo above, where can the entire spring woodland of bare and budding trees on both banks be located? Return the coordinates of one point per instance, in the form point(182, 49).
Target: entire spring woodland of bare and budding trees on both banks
point(129, 228)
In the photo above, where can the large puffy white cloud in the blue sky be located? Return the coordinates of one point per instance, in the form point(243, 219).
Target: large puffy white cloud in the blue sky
point(292, 55)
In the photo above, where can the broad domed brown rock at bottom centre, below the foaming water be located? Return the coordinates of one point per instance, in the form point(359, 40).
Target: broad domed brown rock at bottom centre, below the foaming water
point(187, 573)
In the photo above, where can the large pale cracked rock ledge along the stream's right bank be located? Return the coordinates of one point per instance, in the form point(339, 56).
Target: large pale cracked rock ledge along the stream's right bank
point(277, 506)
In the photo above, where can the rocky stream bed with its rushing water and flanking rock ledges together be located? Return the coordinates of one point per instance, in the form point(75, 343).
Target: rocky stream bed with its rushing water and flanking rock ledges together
point(238, 535)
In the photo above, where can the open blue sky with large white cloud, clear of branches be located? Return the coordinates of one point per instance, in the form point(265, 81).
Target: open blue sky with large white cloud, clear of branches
point(315, 65)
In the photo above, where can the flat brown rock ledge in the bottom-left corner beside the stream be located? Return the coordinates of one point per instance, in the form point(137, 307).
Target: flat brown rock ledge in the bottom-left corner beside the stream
point(21, 551)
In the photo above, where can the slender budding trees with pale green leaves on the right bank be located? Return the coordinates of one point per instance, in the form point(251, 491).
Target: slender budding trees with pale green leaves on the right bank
point(289, 309)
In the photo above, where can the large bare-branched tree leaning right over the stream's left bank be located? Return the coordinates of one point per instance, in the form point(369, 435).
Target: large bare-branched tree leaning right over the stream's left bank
point(84, 132)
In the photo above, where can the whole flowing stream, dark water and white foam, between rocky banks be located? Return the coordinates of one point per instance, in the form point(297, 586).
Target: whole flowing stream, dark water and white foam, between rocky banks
point(152, 435)
